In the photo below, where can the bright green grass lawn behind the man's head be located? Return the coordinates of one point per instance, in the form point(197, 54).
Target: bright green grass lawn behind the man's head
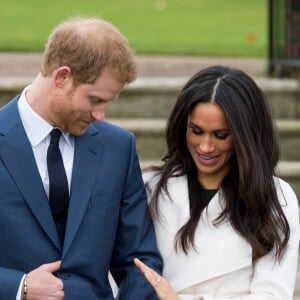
point(189, 27)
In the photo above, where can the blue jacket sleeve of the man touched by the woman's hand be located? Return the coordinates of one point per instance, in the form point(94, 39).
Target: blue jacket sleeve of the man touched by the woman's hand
point(135, 237)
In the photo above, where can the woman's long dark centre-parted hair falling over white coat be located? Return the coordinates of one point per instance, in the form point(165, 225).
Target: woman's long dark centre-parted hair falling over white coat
point(251, 201)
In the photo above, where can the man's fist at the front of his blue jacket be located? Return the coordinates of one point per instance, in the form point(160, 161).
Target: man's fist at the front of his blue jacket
point(43, 285)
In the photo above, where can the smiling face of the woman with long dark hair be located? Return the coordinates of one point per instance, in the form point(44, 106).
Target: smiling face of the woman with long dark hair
point(210, 143)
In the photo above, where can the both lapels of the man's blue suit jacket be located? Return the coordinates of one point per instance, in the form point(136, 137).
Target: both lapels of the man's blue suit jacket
point(21, 164)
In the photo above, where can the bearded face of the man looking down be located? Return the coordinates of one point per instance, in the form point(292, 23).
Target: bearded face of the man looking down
point(77, 107)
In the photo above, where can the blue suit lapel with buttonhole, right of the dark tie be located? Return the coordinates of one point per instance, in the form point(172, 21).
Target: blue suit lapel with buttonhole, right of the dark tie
point(88, 150)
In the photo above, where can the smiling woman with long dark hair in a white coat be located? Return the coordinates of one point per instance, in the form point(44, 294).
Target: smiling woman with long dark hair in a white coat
point(226, 226)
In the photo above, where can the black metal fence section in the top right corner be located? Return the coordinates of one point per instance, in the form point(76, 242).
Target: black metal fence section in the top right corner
point(284, 38)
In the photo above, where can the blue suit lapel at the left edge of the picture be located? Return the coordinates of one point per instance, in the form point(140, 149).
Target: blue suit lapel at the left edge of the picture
point(20, 163)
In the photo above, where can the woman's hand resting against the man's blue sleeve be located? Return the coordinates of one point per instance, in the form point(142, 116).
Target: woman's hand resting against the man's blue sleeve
point(161, 286)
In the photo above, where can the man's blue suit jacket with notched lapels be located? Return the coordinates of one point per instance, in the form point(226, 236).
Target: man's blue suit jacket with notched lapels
point(107, 226)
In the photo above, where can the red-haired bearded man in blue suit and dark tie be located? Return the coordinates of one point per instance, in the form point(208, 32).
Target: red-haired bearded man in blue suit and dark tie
point(65, 249)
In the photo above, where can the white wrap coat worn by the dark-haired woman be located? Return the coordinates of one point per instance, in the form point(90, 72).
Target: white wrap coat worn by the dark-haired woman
point(221, 266)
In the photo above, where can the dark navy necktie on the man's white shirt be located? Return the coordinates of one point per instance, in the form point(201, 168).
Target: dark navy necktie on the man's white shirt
point(58, 184)
